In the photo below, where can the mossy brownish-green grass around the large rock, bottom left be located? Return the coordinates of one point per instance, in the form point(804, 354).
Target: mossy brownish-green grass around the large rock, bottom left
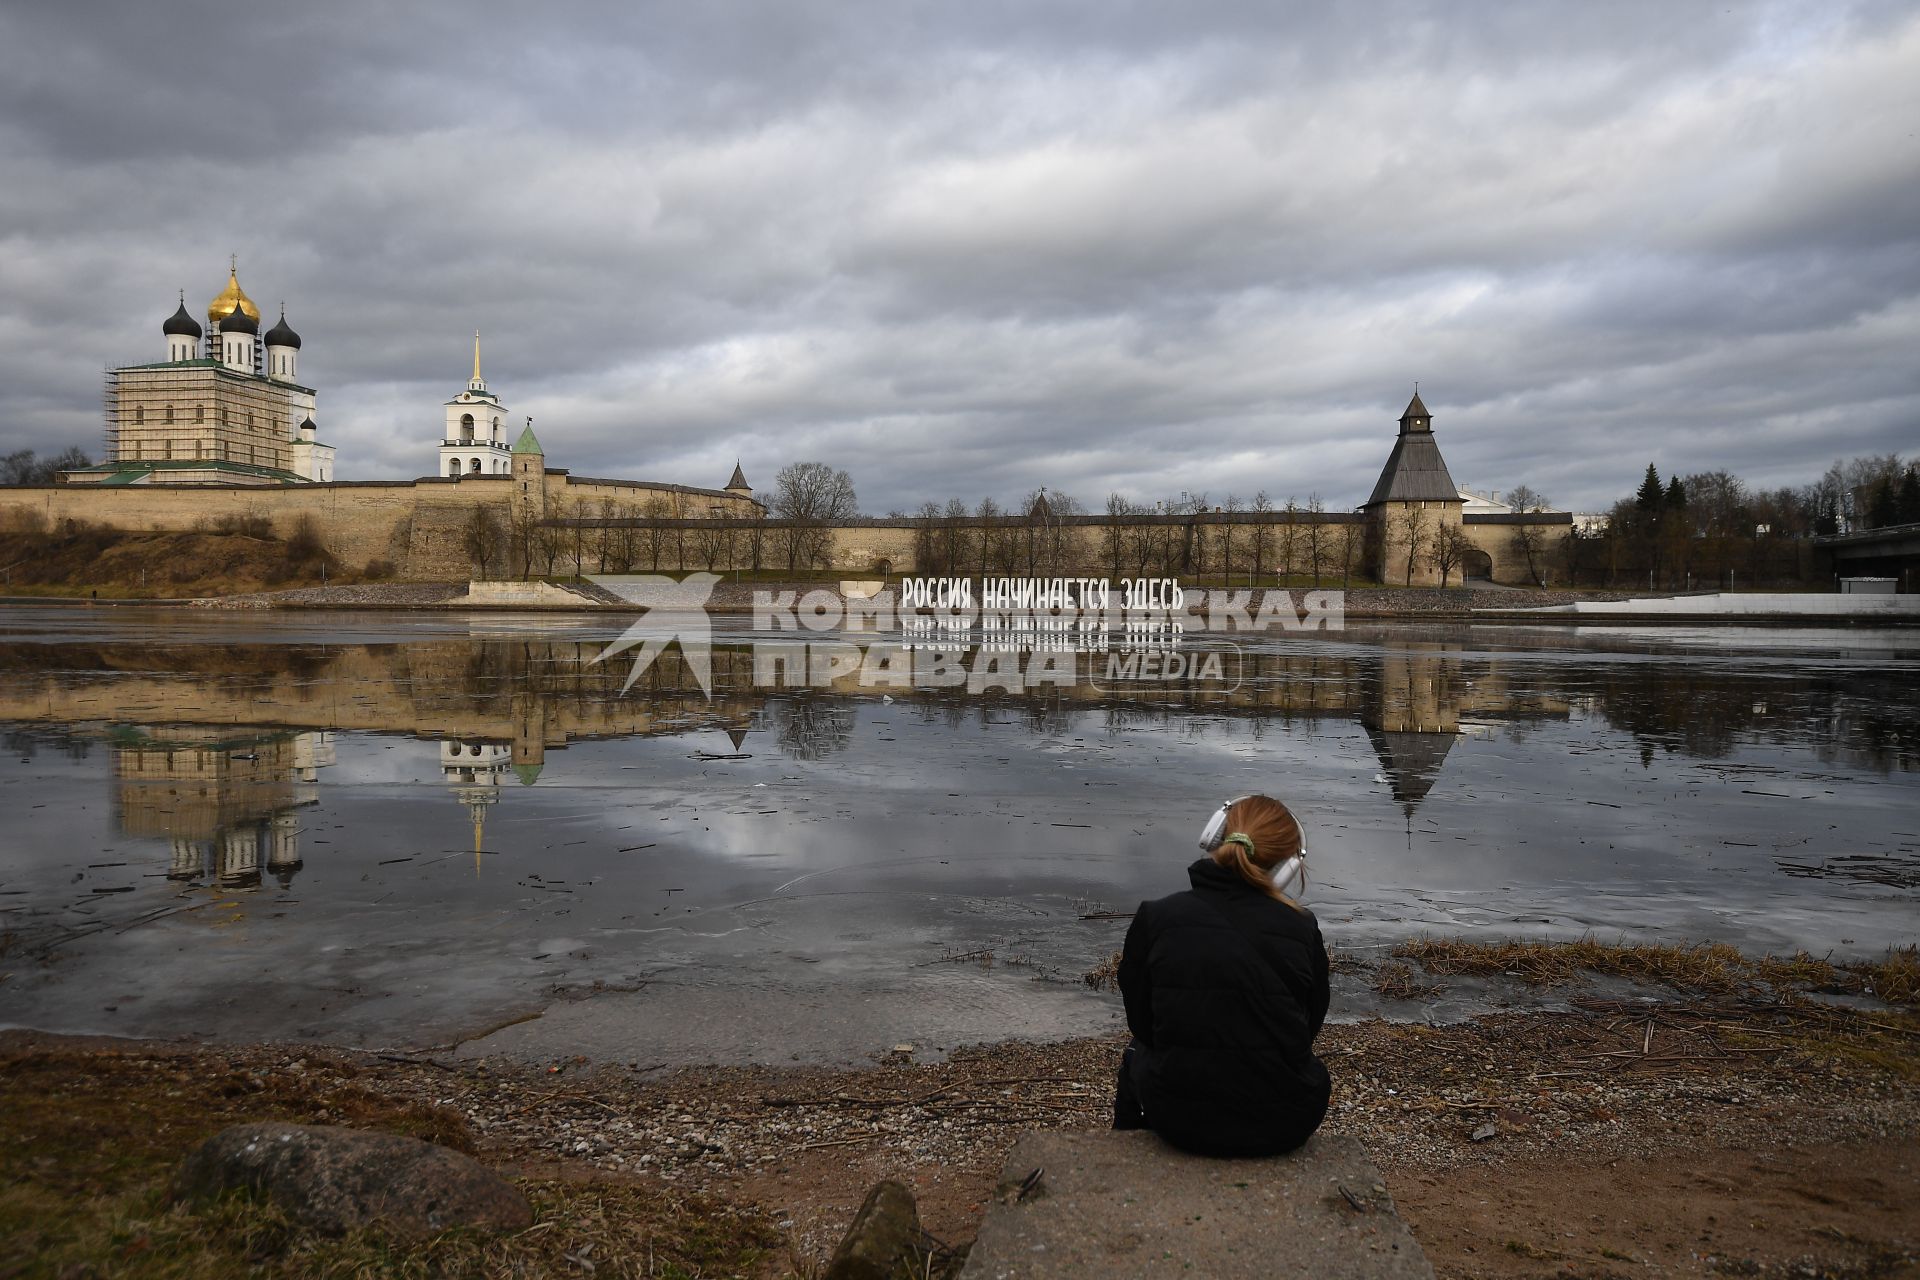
point(89, 1145)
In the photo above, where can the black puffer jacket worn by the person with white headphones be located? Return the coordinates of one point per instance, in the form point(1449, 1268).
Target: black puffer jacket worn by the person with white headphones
point(1226, 991)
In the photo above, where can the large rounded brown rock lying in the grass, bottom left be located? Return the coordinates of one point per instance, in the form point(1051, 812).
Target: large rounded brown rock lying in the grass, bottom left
point(337, 1179)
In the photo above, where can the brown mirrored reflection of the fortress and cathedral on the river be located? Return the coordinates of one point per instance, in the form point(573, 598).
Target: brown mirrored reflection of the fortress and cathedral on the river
point(226, 792)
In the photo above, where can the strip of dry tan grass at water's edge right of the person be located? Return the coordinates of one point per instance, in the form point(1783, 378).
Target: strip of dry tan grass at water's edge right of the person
point(1708, 968)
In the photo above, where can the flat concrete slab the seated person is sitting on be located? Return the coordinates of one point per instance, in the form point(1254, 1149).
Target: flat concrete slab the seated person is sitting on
point(1126, 1204)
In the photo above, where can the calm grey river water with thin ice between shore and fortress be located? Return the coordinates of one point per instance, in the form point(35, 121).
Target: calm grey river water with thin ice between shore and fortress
point(420, 830)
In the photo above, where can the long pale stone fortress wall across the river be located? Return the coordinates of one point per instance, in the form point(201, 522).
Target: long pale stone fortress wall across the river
point(420, 527)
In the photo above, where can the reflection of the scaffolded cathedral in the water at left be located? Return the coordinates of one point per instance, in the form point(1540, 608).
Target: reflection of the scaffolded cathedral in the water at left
point(226, 805)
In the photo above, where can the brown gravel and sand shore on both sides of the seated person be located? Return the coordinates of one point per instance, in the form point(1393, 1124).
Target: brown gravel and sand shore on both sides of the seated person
point(1721, 1137)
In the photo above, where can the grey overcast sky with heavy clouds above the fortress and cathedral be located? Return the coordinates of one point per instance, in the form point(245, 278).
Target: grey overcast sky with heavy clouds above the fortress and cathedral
point(978, 249)
